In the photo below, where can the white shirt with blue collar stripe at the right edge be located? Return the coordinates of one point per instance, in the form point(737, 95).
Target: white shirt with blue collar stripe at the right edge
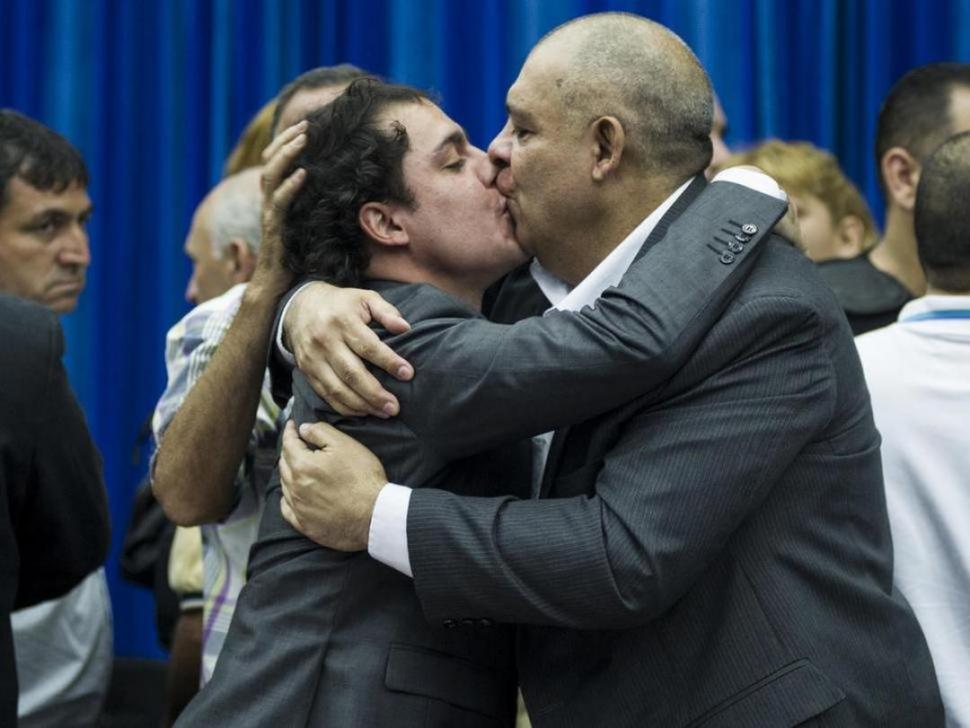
point(918, 372)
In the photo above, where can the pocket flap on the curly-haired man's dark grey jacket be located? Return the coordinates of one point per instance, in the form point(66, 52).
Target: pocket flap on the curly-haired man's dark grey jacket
point(421, 671)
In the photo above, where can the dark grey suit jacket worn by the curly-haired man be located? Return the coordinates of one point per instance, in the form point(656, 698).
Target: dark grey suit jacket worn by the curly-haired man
point(328, 639)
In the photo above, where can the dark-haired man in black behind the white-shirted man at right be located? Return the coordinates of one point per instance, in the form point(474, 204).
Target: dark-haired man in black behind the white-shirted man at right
point(927, 105)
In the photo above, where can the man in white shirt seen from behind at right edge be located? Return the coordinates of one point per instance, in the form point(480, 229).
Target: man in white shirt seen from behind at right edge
point(918, 372)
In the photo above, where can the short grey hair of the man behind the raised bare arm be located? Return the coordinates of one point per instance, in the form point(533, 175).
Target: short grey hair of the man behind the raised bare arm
point(235, 211)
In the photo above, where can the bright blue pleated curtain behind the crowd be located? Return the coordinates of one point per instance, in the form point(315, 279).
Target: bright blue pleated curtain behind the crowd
point(155, 93)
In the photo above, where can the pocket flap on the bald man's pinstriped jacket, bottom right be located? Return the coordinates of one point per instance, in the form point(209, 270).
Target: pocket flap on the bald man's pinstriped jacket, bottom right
point(785, 698)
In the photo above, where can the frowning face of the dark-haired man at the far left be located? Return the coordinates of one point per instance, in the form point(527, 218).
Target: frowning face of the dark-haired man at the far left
point(44, 253)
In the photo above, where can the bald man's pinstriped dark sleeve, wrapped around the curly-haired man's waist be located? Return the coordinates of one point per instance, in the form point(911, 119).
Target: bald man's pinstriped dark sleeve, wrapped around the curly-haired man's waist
point(668, 496)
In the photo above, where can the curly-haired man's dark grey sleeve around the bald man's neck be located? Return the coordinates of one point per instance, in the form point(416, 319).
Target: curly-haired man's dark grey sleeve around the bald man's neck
point(479, 384)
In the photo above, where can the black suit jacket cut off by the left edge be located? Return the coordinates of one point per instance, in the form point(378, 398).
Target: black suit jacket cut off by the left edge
point(53, 510)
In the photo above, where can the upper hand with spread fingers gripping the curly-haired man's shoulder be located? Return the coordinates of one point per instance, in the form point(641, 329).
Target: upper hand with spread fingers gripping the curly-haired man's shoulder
point(327, 329)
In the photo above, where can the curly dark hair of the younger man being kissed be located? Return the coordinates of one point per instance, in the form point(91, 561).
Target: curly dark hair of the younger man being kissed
point(349, 160)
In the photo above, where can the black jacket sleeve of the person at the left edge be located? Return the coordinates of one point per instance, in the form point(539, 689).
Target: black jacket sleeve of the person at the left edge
point(62, 526)
